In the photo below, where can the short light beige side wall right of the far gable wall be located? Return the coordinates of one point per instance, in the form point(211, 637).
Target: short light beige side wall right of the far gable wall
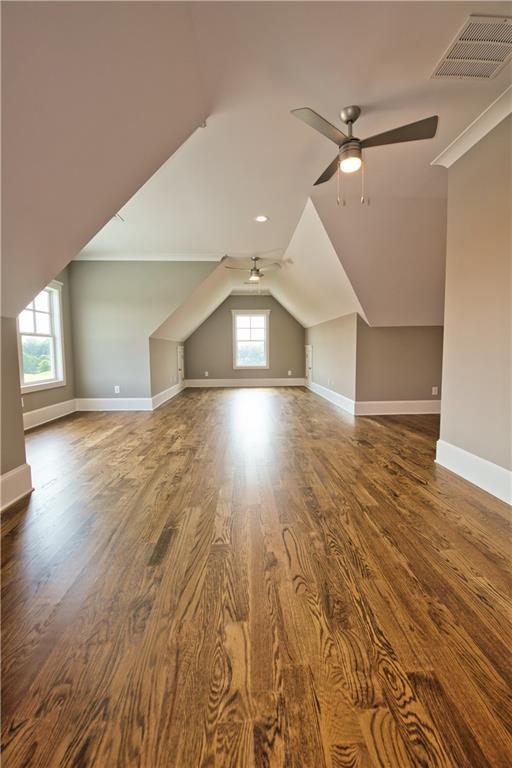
point(334, 354)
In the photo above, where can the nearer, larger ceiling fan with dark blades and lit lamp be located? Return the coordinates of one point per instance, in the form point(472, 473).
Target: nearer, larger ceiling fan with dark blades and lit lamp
point(349, 157)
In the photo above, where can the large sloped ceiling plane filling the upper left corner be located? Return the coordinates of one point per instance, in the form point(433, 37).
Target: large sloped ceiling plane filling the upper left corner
point(96, 96)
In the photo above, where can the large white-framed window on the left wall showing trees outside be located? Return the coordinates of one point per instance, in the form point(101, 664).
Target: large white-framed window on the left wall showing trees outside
point(40, 341)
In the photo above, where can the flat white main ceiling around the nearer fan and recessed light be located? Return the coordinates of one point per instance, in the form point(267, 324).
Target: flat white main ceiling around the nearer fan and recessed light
point(258, 61)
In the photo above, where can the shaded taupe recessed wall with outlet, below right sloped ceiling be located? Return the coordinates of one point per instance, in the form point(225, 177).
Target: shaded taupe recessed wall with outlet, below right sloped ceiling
point(398, 363)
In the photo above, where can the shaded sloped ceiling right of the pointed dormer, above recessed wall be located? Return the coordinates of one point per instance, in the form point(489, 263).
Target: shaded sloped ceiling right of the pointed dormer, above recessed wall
point(393, 253)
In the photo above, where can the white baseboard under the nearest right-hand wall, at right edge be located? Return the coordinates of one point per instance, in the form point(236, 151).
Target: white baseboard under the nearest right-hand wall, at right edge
point(488, 476)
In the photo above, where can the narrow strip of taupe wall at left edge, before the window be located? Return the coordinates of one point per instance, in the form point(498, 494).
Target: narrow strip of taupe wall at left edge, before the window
point(12, 439)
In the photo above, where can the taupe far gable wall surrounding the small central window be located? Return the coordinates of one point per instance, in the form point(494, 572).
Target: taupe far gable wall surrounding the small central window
point(210, 347)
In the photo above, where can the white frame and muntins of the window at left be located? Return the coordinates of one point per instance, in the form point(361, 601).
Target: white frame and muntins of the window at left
point(57, 334)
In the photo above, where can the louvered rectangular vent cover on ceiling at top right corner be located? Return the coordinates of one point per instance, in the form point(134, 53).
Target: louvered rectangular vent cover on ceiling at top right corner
point(480, 50)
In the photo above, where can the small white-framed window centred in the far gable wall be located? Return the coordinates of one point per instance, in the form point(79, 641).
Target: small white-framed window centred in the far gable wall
point(250, 338)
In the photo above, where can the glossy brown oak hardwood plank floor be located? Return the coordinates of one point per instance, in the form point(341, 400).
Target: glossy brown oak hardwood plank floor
point(253, 578)
